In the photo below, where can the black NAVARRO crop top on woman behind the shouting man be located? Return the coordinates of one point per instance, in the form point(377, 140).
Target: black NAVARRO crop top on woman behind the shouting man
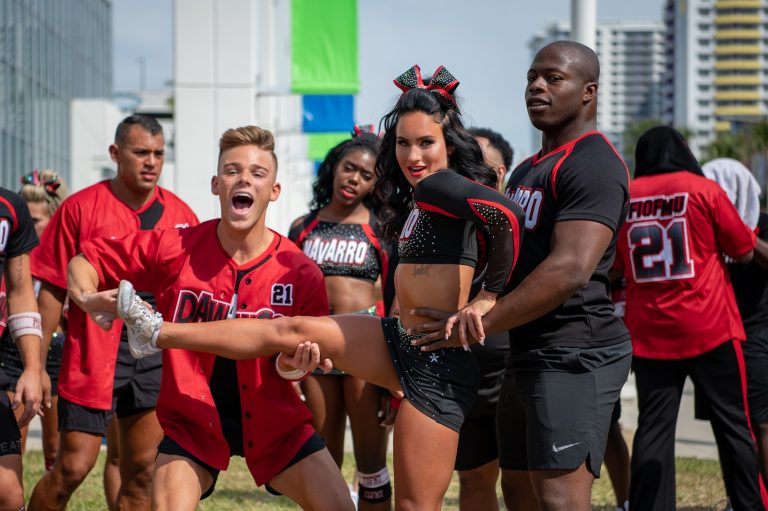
point(347, 250)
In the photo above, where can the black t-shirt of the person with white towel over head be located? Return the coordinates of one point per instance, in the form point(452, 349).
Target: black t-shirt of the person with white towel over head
point(750, 285)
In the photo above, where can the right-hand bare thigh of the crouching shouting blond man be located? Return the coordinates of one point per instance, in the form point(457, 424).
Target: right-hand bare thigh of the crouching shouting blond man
point(315, 484)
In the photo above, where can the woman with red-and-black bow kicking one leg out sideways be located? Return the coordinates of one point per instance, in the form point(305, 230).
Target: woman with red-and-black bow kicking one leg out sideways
point(433, 190)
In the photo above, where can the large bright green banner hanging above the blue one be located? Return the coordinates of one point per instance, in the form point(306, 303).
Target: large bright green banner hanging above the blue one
point(324, 47)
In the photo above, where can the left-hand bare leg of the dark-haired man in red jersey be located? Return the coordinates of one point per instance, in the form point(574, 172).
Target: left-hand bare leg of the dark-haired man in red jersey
point(77, 455)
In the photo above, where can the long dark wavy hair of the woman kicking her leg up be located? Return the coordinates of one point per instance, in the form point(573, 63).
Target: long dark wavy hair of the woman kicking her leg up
point(392, 192)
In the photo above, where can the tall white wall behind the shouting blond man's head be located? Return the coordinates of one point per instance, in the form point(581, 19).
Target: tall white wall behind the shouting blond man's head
point(232, 68)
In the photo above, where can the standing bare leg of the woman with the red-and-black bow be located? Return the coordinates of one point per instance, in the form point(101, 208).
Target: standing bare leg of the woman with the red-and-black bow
point(422, 446)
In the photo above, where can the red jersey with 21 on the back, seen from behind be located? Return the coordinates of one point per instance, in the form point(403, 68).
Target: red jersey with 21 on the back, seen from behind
point(680, 302)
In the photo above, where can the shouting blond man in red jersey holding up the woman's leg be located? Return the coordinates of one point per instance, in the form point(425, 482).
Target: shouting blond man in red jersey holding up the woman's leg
point(211, 407)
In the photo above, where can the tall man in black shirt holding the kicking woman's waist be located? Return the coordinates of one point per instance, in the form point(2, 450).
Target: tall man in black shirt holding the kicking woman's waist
point(570, 354)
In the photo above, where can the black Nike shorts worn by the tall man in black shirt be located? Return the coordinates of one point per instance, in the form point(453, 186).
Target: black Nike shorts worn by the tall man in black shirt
point(556, 405)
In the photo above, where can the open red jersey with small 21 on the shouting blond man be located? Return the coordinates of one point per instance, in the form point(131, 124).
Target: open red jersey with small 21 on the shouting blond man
point(195, 280)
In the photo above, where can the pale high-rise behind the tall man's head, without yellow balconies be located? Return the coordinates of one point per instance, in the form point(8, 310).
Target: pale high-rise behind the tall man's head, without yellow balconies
point(632, 64)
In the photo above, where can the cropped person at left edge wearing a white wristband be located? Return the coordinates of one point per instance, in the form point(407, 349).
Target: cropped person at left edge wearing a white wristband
point(17, 239)
